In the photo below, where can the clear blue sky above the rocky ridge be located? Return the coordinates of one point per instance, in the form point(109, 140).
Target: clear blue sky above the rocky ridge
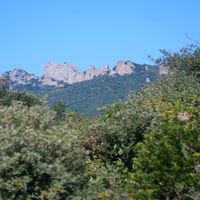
point(84, 32)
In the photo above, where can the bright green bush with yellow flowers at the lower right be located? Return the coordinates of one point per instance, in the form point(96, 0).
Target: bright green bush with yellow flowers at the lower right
point(168, 165)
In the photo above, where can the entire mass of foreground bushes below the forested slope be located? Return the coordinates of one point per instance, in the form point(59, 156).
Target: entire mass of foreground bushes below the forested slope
point(146, 148)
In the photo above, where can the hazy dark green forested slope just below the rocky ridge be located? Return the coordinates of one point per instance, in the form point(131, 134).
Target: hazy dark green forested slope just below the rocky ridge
point(89, 96)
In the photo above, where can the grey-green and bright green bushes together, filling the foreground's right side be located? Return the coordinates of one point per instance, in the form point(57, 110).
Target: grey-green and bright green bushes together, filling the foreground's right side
point(155, 137)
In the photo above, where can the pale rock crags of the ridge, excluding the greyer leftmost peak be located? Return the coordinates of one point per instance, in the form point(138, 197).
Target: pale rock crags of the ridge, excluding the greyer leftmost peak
point(68, 73)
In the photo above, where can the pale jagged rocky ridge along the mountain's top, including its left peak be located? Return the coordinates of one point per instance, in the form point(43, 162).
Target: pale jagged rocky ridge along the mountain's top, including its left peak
point(56, 74)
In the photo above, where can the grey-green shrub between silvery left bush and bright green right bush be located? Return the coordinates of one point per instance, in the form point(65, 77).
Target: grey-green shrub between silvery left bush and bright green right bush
point(123, 125)
